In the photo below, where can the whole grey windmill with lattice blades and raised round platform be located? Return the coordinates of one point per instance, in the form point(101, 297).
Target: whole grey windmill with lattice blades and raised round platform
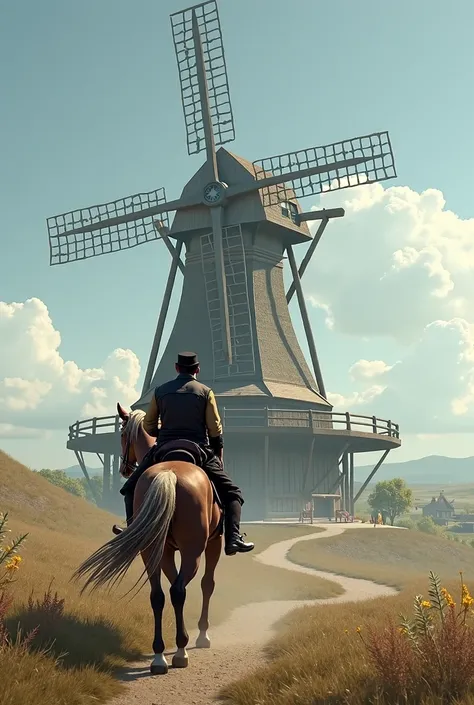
point(237, 221)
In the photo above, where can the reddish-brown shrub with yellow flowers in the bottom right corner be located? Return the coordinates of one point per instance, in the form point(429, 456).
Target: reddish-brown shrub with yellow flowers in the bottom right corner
point(431, 654)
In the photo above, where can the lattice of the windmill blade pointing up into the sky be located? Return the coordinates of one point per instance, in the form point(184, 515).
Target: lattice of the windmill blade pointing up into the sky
point(216, 74)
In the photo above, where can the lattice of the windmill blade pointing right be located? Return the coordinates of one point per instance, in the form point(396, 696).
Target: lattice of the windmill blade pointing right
point(378, 165)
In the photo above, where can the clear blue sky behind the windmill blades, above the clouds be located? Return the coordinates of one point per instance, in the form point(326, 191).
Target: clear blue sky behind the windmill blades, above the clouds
point(91, 112)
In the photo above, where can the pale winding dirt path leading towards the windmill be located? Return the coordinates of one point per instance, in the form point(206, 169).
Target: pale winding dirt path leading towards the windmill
point(237, 642)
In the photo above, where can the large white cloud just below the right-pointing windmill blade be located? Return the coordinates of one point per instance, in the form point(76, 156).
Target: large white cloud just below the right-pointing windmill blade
point(396, 262)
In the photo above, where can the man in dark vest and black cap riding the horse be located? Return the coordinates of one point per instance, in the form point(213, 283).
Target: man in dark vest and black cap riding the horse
point(188, 410)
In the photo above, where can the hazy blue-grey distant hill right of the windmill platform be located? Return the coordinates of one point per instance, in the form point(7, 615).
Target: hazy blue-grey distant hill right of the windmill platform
point(433, 469)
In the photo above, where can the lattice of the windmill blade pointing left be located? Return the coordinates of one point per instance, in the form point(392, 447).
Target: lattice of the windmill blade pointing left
point(106, 237)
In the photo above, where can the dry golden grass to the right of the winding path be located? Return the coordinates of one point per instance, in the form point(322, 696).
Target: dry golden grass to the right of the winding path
point(318, 658)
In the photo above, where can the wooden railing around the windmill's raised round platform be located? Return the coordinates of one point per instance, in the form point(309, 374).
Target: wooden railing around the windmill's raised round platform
point(264, 418)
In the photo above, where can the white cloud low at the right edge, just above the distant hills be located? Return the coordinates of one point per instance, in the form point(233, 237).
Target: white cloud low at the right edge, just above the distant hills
point(430, 391)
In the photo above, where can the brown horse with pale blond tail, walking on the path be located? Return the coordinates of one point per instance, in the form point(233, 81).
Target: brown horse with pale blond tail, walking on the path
point(173, 511)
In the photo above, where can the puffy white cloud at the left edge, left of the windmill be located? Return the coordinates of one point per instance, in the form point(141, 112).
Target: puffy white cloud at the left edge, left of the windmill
point(41, 390)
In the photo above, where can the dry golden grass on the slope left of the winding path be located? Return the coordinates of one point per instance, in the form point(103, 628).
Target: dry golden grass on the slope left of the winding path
point(103, 632)
